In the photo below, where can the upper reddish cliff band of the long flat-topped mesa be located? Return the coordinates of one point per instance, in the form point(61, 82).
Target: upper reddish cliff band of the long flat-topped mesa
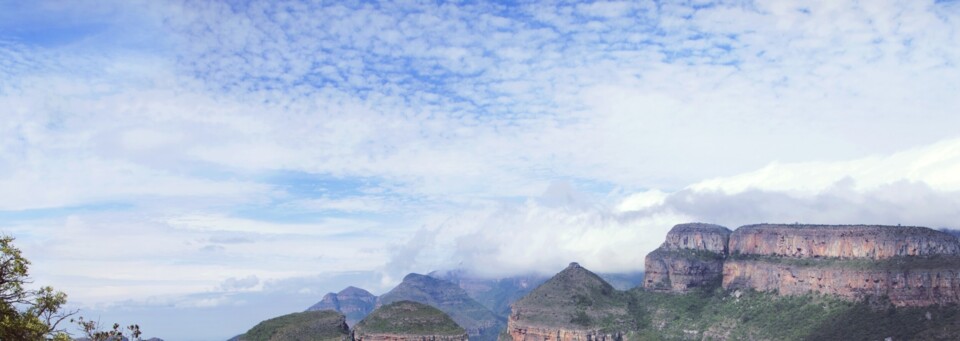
point(842, 241)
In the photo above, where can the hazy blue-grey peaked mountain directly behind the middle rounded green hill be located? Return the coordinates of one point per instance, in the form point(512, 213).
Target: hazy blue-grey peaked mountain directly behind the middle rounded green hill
point(479, 322)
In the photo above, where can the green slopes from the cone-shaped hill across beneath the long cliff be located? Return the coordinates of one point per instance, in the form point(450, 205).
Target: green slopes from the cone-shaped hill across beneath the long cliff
point(576, 299)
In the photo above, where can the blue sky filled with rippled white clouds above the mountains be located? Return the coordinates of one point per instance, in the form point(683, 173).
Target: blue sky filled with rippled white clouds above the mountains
point(199, 166)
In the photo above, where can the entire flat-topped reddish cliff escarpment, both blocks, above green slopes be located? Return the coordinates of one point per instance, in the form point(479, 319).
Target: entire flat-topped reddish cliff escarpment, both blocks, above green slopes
point(910, 266)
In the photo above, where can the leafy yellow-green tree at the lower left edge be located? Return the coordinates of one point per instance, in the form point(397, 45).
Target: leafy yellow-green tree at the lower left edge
point(27, 314)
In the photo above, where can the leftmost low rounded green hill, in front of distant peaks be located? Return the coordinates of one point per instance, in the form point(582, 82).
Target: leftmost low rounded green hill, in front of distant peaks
point(305, 326)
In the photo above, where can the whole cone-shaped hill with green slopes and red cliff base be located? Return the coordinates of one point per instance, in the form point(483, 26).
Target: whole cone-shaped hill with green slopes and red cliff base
point(575, 304)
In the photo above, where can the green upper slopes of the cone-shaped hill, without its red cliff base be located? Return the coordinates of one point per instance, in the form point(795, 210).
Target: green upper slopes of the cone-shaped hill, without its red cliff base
point(575, 299)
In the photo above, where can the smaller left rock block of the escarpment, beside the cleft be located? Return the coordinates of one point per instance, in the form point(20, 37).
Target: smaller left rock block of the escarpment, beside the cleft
point(691, 257)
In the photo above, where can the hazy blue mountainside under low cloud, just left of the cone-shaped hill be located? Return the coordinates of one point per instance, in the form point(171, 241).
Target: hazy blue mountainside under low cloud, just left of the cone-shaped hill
point(495, 294)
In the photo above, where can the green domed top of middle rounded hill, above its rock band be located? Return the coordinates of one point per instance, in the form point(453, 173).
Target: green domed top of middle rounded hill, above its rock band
point(409, 318)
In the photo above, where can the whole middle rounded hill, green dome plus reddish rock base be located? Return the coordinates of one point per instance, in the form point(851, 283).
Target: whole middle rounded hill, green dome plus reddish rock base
point(408, 321)
